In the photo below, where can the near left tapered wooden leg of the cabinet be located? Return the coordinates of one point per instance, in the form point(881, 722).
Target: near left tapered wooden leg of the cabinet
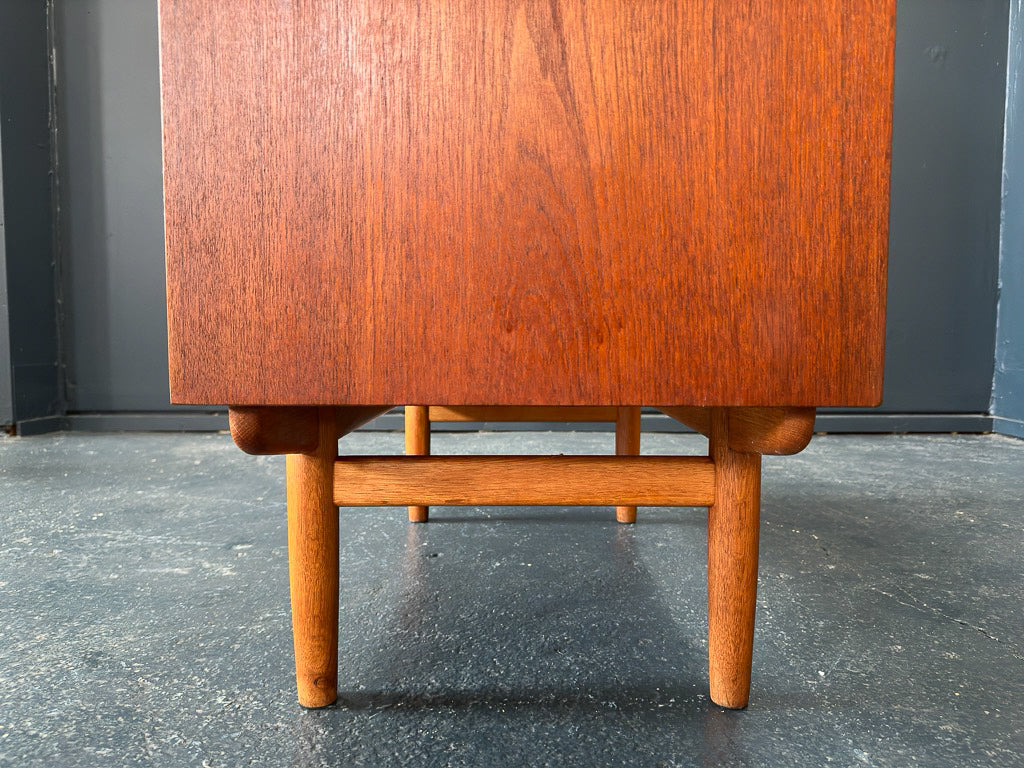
point(313, 559)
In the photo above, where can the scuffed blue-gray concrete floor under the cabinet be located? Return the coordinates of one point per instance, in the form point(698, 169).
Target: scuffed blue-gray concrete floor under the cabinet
point(145, 615)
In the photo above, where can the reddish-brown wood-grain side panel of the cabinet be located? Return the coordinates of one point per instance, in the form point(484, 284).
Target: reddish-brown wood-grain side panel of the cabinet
point(517, 202)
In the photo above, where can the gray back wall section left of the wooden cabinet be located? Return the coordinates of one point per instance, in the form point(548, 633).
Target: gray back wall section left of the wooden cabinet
point(109, 107)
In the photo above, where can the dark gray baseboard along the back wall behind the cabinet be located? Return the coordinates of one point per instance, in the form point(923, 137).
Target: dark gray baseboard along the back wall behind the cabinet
point(217, 421)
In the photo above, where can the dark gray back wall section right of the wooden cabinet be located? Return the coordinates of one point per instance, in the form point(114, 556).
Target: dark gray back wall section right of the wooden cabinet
point(951, 80)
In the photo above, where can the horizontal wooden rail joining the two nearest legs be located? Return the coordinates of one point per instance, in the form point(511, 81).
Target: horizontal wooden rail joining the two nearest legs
point(525, 481)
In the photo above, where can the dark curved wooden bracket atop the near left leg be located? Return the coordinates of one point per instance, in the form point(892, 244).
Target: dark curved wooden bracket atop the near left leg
point(266, 431)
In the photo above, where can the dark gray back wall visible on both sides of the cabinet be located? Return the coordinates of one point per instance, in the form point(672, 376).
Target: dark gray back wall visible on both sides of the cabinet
point(947, 170)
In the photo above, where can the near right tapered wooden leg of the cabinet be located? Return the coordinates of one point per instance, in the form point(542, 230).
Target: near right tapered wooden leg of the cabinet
point(733, 566)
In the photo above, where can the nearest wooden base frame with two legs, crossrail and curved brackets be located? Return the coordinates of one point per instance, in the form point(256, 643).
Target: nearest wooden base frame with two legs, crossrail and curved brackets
point(728, 482)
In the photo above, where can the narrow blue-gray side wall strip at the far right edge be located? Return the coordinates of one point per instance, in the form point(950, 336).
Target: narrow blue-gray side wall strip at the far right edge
point(1008, 398)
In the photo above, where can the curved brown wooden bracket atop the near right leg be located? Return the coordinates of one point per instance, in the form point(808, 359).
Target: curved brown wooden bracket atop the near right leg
point(774, 432)
